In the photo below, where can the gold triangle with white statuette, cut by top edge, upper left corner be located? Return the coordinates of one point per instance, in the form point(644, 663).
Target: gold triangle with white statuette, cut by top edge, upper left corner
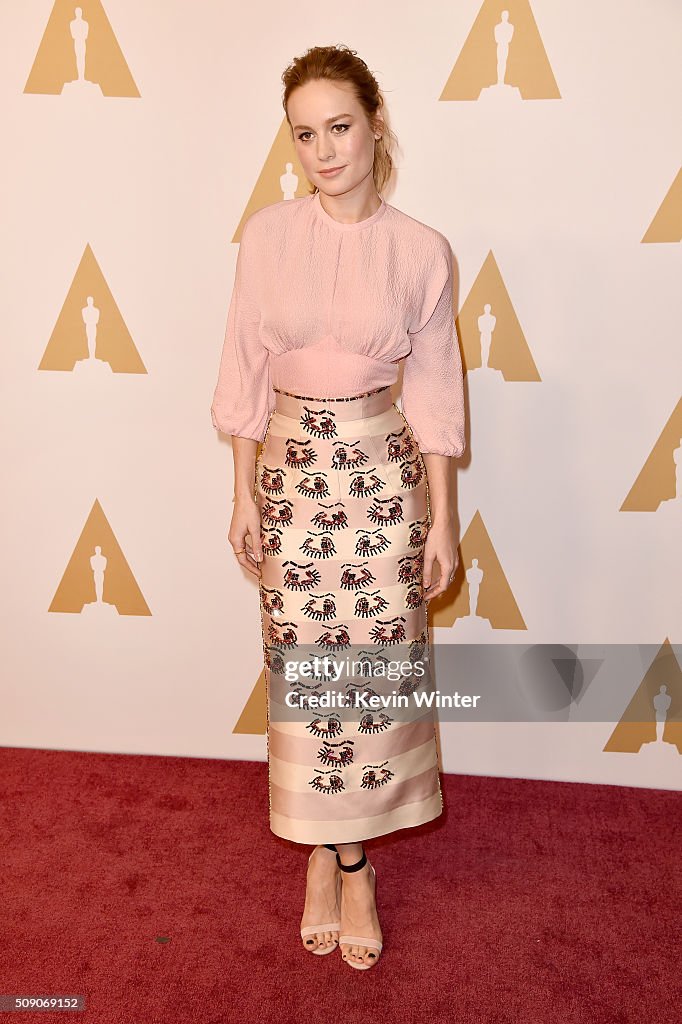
point(80, 55)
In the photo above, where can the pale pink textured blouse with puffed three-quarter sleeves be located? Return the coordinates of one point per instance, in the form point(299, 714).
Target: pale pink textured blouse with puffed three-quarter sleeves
point(326, 310)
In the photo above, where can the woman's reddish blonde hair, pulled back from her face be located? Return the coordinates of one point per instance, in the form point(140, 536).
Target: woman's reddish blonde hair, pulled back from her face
point(340, 64)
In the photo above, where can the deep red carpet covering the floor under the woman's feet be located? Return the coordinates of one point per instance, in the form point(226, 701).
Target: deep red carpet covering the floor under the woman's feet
point(527, 903)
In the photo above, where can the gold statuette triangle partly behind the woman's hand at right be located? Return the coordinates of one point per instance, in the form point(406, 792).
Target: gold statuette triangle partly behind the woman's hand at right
point(496, 602)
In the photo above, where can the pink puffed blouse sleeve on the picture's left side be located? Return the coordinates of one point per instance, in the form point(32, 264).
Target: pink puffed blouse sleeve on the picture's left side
point(244, 400)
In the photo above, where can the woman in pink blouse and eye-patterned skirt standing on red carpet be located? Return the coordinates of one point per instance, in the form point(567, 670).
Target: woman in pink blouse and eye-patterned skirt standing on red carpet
point(336, 517)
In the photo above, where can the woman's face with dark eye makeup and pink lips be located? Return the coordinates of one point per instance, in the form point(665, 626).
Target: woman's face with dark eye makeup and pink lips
point(331, 131)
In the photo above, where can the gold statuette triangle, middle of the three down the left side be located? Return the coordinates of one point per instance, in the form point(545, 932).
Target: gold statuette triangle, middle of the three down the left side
point(91, 317)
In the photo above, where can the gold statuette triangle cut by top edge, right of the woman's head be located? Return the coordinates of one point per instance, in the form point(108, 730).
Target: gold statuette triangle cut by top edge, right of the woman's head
point(503, 53)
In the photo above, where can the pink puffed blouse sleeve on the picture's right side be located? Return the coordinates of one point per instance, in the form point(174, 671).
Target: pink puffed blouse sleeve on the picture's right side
point(433, 377)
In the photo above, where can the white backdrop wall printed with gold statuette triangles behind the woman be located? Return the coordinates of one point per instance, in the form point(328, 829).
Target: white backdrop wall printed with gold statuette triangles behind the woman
point(561, 194)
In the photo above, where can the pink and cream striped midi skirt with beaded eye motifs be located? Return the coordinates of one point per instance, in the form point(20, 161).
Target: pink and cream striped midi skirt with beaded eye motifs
point(344, 498)
